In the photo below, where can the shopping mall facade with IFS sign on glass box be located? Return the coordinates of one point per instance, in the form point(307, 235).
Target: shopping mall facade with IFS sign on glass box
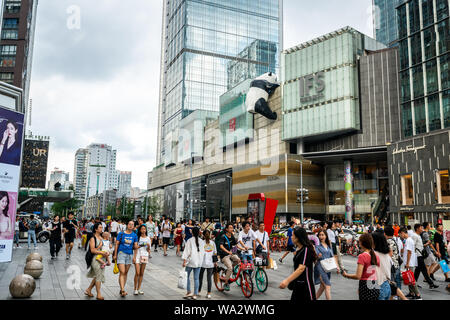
point(338, 109)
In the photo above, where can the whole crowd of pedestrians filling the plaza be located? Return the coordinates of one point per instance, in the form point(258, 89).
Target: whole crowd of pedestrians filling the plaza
point(387, 253)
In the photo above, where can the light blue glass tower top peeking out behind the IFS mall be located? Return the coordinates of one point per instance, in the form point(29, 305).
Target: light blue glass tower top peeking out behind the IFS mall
point(385, 21)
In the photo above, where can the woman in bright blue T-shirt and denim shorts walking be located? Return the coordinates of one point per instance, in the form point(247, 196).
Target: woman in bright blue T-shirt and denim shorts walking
point(125, 253)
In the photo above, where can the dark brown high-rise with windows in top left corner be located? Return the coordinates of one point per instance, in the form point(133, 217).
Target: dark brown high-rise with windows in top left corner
point(16, 45)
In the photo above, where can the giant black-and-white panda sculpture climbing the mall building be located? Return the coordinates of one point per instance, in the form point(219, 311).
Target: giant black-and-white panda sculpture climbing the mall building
point(258, 94)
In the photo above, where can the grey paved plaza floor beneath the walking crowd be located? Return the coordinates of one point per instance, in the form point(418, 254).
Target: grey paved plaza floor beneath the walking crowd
point(66, 279)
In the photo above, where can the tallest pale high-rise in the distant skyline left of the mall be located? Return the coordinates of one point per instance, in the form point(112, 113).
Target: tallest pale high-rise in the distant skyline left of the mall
point(101, 170)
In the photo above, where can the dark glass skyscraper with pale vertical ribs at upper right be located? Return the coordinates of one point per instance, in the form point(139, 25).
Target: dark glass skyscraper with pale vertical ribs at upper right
point(424, 38)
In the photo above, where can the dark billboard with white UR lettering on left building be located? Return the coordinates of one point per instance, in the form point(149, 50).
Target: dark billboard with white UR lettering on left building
point(34, 166)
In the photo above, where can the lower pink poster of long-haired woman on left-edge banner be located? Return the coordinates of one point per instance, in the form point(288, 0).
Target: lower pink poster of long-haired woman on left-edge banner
point(7, 214)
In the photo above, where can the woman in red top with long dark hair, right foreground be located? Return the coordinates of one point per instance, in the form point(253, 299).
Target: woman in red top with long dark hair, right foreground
point(366, 271)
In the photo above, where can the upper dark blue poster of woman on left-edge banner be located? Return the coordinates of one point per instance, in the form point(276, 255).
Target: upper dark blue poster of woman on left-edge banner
point(11, 128)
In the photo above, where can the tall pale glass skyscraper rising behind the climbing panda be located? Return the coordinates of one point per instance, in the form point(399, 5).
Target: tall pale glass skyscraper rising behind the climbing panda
point(208, 47)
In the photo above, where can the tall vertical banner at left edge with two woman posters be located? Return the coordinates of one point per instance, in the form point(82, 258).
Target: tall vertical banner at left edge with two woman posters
point(11, 137)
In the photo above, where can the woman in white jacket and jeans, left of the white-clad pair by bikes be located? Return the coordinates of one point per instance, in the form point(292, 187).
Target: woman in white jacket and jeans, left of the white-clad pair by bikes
point(193, 255)
